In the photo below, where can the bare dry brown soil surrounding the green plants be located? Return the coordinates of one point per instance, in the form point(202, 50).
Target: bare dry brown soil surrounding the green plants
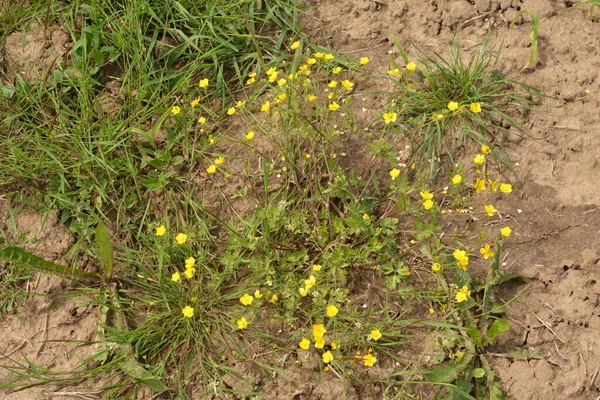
point(556, 232)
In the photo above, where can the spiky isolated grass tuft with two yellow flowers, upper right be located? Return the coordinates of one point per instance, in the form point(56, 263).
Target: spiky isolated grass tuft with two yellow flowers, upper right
point(448, 102)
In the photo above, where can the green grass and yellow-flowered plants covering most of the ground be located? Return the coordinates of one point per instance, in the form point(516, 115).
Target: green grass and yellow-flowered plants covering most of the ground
point(351, 251)
